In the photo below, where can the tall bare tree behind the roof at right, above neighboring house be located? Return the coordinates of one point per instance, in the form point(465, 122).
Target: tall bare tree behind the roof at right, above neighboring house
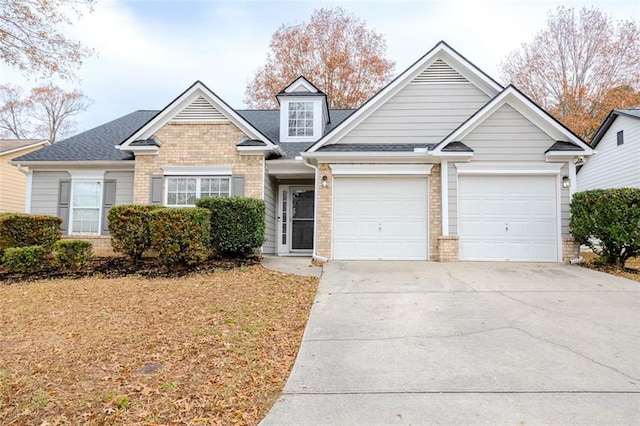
point(580, 67)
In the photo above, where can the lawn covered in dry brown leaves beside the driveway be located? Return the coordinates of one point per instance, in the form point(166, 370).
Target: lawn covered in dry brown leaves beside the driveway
point(213, 348)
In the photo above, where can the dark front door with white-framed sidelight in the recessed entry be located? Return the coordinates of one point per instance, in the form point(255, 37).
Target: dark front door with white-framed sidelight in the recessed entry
point(295, 222)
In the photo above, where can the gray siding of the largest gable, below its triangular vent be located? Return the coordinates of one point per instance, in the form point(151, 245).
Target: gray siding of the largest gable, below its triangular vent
point(419, 113)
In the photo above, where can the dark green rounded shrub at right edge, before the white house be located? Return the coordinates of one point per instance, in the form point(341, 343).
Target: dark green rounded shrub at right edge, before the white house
point(608, 222)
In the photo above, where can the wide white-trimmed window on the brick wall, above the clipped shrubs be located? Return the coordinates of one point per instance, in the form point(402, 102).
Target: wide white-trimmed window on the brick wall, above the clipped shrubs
point(183, 191)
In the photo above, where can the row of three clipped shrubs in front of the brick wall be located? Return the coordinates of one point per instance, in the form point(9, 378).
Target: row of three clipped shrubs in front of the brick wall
point(225, 226)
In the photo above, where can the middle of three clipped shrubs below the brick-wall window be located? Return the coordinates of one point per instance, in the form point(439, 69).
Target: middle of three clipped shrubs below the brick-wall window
point(180, 235)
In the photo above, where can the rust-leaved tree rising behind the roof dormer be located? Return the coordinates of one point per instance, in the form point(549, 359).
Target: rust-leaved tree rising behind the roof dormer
point(334, 50)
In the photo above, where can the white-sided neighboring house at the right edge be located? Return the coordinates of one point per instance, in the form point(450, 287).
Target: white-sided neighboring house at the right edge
point(617, 163)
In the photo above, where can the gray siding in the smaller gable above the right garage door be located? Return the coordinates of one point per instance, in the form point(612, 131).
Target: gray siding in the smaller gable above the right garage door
point(508, 136)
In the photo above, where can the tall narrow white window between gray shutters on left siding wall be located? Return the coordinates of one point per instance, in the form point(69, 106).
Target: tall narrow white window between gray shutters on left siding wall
point(86, 202)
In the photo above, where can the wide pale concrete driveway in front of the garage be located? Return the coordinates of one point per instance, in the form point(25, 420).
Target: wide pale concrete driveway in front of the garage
point(412, 343)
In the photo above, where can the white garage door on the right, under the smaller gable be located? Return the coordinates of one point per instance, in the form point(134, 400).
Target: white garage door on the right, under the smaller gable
point(508, 218)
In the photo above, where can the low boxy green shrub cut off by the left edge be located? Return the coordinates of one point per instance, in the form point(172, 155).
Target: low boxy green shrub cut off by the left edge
point(22, 230)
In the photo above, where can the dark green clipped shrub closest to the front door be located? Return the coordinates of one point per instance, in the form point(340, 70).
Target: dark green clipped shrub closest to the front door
point(237, 224)
